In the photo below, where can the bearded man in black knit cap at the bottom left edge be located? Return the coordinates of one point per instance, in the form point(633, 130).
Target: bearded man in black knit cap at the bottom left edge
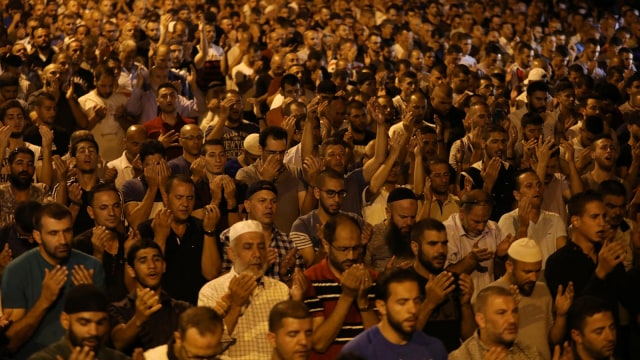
point(86, 321)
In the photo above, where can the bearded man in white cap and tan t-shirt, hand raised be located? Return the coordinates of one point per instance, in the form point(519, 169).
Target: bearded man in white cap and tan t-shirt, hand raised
point(535, 307)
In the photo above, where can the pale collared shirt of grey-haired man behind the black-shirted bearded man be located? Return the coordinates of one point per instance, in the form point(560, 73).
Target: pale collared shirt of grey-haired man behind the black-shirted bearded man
point(461, 244)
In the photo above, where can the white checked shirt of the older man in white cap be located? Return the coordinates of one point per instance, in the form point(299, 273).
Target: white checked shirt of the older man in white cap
point(253, 324)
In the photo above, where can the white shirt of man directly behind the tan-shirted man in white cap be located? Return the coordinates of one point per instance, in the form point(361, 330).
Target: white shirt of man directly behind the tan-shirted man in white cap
point(545, 232)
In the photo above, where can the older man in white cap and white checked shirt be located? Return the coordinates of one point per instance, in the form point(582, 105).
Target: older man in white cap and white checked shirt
point(247, 294)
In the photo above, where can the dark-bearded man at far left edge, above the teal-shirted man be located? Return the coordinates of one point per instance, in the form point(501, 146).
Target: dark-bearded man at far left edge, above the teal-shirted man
point(20, 186)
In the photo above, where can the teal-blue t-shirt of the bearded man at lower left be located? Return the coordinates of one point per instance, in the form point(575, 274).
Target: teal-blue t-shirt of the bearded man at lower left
point(22, 286)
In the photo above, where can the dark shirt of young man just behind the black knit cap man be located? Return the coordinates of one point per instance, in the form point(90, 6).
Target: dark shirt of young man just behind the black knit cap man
point(159, 327)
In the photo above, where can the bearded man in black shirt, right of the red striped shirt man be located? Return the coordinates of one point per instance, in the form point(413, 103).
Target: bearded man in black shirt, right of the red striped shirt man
point(446, 313)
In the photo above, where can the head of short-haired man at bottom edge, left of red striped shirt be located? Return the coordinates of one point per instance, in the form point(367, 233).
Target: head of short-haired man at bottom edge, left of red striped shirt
point(290, 328)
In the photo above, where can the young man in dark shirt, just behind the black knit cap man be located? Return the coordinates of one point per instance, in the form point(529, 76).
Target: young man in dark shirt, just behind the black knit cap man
point(148, 316)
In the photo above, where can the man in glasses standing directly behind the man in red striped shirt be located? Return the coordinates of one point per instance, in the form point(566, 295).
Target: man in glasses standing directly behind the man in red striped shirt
point(330, 193)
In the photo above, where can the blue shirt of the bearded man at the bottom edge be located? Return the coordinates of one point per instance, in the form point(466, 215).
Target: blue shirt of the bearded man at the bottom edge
point(372, 345)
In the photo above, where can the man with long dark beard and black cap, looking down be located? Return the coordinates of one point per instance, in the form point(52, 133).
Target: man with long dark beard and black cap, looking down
point(391, 238)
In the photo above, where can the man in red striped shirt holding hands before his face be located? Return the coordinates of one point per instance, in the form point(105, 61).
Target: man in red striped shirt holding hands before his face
point(339, 297)
